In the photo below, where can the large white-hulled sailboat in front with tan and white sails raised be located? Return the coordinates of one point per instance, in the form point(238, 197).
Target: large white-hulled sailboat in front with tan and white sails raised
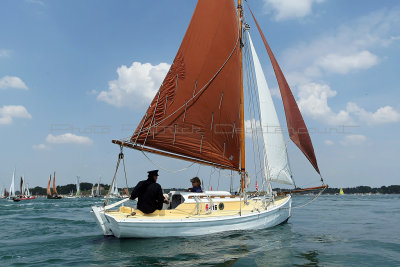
point(198, 116)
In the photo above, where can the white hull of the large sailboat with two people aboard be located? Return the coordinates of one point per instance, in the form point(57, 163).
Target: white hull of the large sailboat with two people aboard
point(147, 228)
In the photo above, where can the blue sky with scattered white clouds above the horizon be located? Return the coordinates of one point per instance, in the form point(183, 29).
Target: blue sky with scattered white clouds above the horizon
point(76, 74)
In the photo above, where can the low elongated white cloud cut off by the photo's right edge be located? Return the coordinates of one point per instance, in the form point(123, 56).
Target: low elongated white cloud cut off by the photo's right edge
point(386, 114)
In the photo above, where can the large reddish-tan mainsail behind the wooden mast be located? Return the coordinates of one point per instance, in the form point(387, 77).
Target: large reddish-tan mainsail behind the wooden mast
point(196, 112)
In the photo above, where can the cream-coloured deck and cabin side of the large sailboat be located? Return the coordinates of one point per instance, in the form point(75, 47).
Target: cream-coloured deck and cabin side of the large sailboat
point(189, 210)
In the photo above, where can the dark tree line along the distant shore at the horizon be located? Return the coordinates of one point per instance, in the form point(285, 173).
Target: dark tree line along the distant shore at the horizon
point(87, 187)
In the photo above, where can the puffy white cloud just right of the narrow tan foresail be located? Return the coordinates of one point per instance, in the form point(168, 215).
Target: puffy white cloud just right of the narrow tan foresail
point(313, 101)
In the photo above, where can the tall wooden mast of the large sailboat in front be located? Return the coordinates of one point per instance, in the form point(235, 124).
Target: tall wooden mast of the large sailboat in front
point(242, 131)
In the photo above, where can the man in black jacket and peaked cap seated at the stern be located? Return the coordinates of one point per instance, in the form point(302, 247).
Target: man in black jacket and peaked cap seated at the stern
point(149, 193)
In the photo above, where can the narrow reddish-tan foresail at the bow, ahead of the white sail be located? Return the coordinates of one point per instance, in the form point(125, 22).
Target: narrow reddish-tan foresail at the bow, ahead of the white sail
point(297, 128)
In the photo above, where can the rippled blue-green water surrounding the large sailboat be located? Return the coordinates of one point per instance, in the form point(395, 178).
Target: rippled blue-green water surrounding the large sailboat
point(332, 231)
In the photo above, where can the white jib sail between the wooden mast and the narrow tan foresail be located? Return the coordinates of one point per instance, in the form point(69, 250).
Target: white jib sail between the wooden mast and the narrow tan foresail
point(276, 159)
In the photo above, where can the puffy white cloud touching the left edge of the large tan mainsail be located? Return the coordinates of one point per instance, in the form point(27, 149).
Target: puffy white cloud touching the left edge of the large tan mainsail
point(136, 85)
